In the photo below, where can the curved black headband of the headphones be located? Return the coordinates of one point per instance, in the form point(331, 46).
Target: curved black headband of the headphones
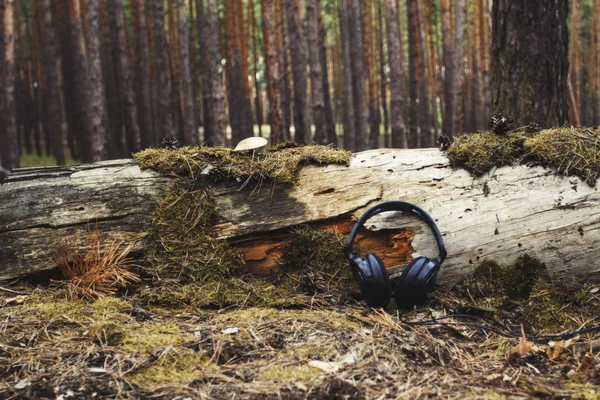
point(397, 205)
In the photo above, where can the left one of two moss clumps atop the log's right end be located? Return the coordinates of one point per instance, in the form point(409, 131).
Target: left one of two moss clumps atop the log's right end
point(479, 152)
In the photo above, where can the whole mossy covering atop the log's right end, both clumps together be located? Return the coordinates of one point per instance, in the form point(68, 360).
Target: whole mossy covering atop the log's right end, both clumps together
point(569, 151)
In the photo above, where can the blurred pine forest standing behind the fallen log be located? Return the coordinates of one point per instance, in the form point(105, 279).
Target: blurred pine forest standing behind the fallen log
point(90, 80)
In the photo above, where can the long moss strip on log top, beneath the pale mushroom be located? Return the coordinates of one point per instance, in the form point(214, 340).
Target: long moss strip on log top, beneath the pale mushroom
point(279, 166)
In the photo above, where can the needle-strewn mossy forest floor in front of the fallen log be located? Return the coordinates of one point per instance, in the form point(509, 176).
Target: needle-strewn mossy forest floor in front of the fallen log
point(118, 347)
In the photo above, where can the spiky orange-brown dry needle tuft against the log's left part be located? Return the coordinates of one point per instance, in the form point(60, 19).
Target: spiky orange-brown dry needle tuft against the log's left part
point(91, 272)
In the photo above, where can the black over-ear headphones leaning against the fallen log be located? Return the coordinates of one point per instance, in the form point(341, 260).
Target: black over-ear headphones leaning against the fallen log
point(416, 279)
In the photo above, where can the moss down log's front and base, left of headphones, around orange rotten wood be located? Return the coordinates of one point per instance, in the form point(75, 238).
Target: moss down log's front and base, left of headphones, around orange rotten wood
point(191, 268)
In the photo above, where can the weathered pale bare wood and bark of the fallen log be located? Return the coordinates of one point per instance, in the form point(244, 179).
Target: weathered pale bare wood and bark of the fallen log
point(502, 215)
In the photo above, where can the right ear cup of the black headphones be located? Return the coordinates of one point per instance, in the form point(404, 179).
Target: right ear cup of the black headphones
point(415, 282)
